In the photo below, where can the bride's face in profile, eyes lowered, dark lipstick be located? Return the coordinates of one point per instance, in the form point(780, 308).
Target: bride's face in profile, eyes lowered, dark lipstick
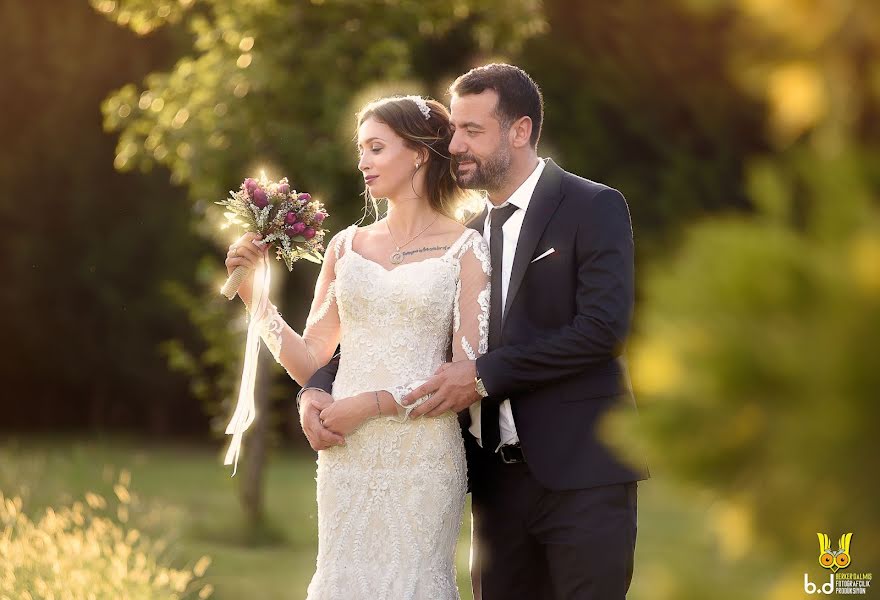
point(386, 162)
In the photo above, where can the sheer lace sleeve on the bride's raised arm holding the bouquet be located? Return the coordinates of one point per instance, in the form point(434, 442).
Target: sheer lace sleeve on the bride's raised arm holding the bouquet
point(302, 355)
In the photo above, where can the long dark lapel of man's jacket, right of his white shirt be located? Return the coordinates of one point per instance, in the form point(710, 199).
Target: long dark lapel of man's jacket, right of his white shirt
point(545, 200)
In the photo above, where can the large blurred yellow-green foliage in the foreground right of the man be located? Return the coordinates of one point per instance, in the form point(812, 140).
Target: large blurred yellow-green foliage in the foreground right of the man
point(754, 355)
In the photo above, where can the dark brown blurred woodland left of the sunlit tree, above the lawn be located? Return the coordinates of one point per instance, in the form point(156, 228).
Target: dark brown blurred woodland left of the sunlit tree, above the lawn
point(85, 248)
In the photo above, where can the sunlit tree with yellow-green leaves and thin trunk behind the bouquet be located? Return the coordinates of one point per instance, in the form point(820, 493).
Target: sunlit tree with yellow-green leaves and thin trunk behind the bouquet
point(275, 85)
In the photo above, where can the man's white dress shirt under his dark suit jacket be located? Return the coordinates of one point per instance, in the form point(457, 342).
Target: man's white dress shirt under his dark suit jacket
point(511, 228)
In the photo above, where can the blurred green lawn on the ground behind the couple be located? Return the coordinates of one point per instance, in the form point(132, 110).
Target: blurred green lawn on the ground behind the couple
point(184, 494)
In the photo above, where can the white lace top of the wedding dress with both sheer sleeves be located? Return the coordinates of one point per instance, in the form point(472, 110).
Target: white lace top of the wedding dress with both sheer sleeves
point(399, 321)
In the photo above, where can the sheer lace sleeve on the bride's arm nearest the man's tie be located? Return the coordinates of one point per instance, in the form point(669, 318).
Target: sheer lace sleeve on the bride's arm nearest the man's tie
point(470, 328)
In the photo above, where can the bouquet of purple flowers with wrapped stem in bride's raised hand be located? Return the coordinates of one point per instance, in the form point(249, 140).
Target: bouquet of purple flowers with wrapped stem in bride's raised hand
point(290, 220)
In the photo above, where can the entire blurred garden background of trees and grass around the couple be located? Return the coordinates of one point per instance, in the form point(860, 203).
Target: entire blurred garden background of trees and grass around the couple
point(744, 133)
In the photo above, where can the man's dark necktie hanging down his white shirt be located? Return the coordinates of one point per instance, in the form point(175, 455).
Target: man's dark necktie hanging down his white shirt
point(490, 428)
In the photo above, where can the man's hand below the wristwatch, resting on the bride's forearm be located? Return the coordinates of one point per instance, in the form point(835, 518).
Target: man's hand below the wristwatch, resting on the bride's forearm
point(453, 388)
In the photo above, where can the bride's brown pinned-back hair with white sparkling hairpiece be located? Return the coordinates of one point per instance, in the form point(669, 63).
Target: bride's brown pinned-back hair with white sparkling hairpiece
point(405, 115)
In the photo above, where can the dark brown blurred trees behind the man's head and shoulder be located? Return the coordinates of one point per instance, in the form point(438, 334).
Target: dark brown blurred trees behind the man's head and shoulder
point(638, 97)
